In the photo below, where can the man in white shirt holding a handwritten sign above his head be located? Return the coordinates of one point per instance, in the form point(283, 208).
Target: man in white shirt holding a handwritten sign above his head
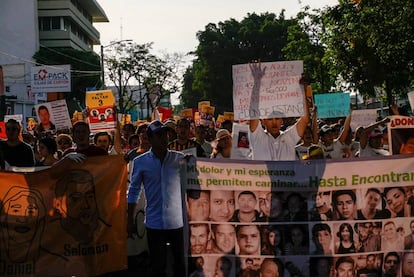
point(268, 141)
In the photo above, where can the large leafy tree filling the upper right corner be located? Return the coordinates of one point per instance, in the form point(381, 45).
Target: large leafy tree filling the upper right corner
point(370, 44)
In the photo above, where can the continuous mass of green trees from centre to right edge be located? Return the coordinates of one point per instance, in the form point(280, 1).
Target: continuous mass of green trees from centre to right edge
point(366, 45)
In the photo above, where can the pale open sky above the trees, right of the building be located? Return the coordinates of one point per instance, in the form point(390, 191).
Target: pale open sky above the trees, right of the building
point(172, 25)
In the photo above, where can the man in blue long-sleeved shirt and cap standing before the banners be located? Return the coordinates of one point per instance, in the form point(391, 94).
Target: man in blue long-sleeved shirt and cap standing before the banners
point(159, 171)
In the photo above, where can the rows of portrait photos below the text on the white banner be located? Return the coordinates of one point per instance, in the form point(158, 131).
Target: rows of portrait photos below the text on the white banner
point(366, 231)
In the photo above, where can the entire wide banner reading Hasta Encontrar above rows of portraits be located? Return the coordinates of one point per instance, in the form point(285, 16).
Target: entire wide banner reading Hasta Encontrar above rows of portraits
point(300, 218)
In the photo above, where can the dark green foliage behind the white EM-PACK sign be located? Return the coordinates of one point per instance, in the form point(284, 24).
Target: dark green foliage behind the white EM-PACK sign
point(85, 68)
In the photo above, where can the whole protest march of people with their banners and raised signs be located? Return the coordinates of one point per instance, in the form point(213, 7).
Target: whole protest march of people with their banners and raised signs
point(286, 184)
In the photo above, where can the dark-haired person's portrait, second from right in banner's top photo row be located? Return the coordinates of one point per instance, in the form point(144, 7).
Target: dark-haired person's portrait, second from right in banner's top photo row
point(372, 199)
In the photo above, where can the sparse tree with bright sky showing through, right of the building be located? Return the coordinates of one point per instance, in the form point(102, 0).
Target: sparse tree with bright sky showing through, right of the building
point(133, 64)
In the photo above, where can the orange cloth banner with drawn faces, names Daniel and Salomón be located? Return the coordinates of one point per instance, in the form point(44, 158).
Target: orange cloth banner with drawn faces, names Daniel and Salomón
point(65, 220)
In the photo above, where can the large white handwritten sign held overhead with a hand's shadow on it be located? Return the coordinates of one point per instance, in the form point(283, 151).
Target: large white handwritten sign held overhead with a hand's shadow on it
point(277, 93)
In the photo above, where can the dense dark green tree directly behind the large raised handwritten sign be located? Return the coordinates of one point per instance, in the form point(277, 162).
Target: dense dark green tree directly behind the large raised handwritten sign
point(228, 43)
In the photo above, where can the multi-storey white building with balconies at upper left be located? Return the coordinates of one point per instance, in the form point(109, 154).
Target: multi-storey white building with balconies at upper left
point(28, 25)
